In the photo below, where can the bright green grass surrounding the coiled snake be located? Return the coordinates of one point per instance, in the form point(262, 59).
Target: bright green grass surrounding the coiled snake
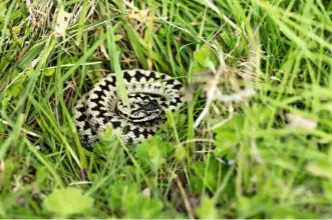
point(267, 155)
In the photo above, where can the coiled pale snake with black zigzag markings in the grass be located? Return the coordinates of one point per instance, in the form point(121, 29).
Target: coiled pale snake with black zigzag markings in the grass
point(150, 94)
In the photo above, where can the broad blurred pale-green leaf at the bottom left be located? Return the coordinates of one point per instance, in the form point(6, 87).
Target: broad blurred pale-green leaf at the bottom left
point(65, 202)
